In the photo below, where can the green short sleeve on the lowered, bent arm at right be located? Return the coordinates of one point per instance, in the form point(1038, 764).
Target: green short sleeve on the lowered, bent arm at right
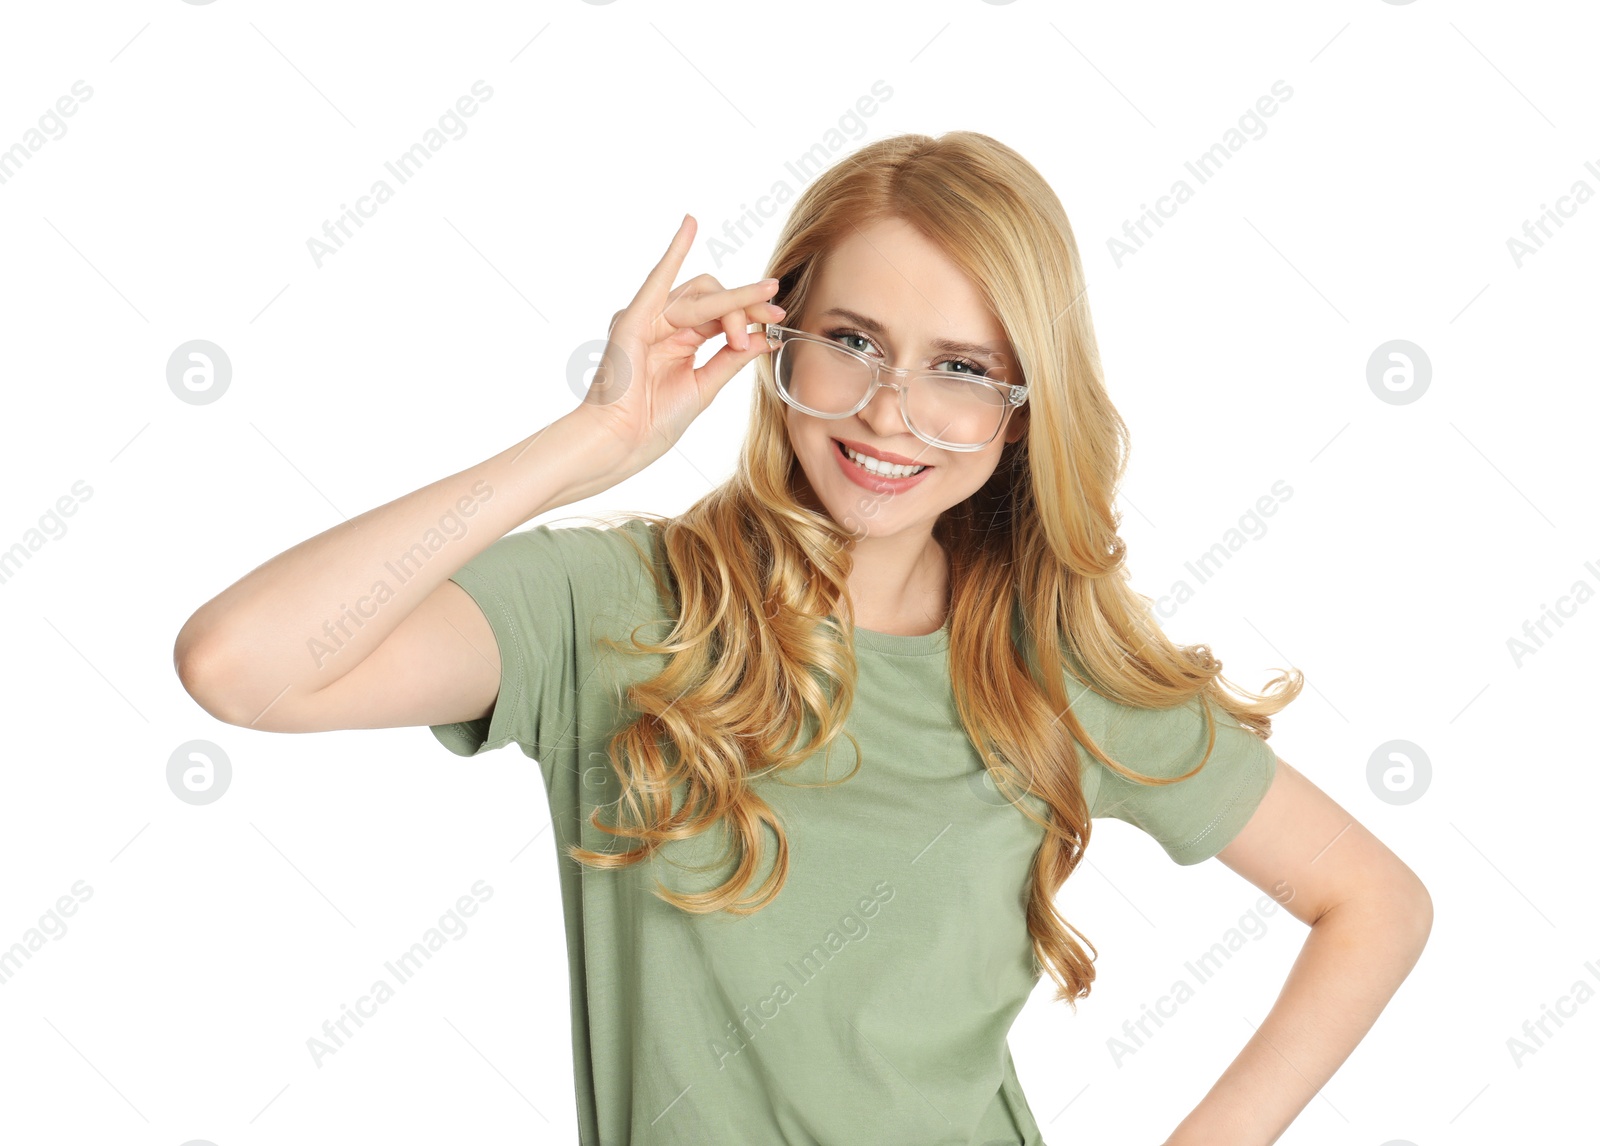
point(1194, 819)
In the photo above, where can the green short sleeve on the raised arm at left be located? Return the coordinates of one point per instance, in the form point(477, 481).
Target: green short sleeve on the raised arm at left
point(524, 587)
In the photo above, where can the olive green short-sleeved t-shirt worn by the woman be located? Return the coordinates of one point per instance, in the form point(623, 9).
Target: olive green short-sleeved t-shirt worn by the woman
point(871, 1001)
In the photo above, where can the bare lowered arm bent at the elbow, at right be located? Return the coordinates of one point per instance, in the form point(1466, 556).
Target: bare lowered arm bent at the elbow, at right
point(1369, 920)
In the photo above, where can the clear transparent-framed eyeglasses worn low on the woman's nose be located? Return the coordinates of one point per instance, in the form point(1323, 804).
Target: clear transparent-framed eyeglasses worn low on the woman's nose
point(953, 412)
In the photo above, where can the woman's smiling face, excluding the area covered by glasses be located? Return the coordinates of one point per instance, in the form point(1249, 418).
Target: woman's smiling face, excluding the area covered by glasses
point(902, 294)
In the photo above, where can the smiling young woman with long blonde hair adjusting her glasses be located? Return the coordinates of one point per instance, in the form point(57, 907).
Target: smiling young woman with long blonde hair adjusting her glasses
point(823, 750)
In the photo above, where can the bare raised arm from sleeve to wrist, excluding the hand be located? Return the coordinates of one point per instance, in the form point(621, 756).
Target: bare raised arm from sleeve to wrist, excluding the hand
point(361, 627)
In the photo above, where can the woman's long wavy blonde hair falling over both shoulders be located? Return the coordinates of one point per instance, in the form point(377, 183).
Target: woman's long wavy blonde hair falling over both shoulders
point(759, 577)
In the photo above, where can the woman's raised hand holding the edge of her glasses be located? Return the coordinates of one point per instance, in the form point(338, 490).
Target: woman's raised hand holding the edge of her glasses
point(647, 391)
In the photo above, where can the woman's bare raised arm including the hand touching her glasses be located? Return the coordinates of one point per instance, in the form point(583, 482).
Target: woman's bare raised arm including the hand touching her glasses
point(361, 627)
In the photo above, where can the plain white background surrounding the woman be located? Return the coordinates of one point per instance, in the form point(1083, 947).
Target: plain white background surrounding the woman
point(1418, 540)
